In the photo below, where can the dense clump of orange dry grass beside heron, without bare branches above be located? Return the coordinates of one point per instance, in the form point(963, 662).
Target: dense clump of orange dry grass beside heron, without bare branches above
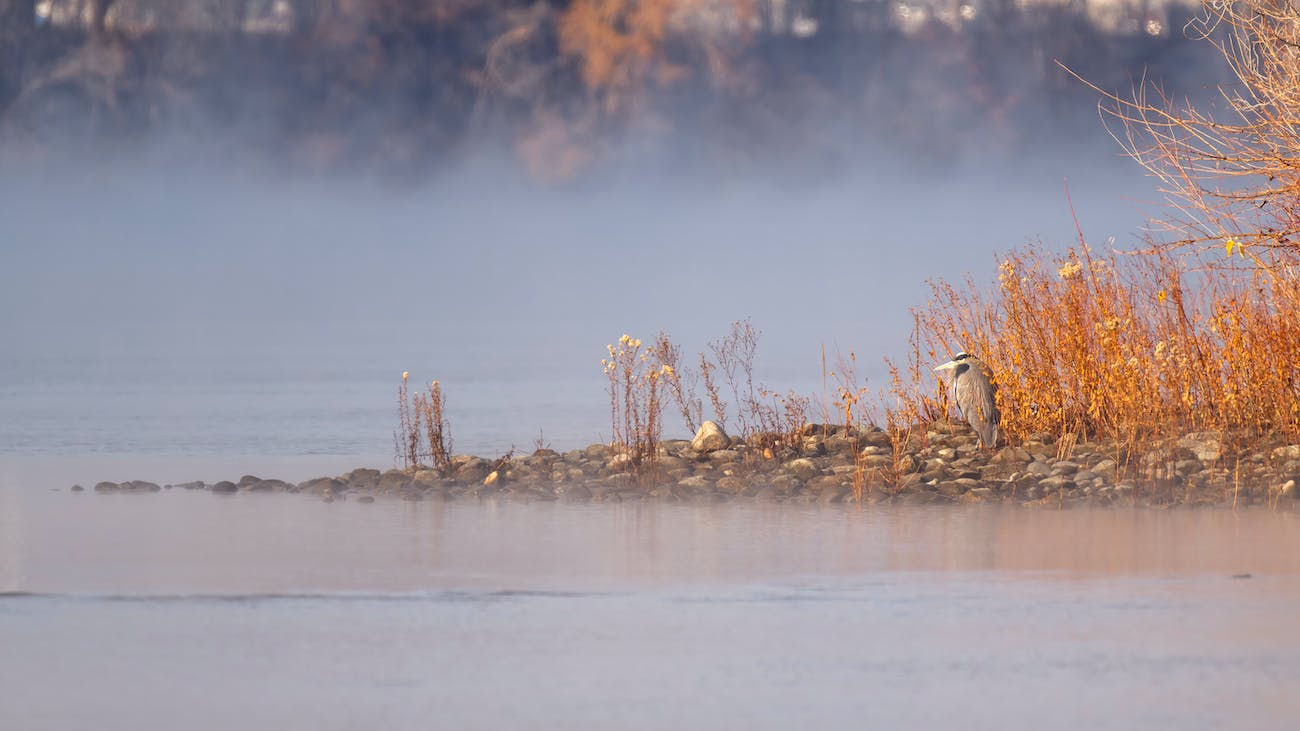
point(1132, 349)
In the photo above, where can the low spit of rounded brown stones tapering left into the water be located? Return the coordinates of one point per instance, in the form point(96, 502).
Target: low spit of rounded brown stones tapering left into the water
point(825, 464)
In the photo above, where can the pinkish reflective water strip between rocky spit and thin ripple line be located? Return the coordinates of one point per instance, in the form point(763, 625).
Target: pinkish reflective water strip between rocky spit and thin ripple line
point(180, 542)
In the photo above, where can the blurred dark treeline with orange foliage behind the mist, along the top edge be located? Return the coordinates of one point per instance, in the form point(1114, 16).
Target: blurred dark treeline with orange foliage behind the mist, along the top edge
point(571, 86)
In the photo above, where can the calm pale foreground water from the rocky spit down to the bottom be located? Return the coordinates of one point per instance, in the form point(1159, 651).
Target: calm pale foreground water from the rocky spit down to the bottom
point(281, 612)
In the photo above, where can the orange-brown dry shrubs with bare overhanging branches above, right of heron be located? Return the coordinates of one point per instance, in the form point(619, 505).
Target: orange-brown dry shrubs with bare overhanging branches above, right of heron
point(1198, 330)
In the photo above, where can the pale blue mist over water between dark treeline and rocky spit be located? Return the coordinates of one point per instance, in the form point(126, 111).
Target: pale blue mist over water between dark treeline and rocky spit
point(209, 313)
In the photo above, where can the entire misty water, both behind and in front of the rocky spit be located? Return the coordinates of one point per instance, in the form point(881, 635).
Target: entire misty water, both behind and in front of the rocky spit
point(175, 330)
